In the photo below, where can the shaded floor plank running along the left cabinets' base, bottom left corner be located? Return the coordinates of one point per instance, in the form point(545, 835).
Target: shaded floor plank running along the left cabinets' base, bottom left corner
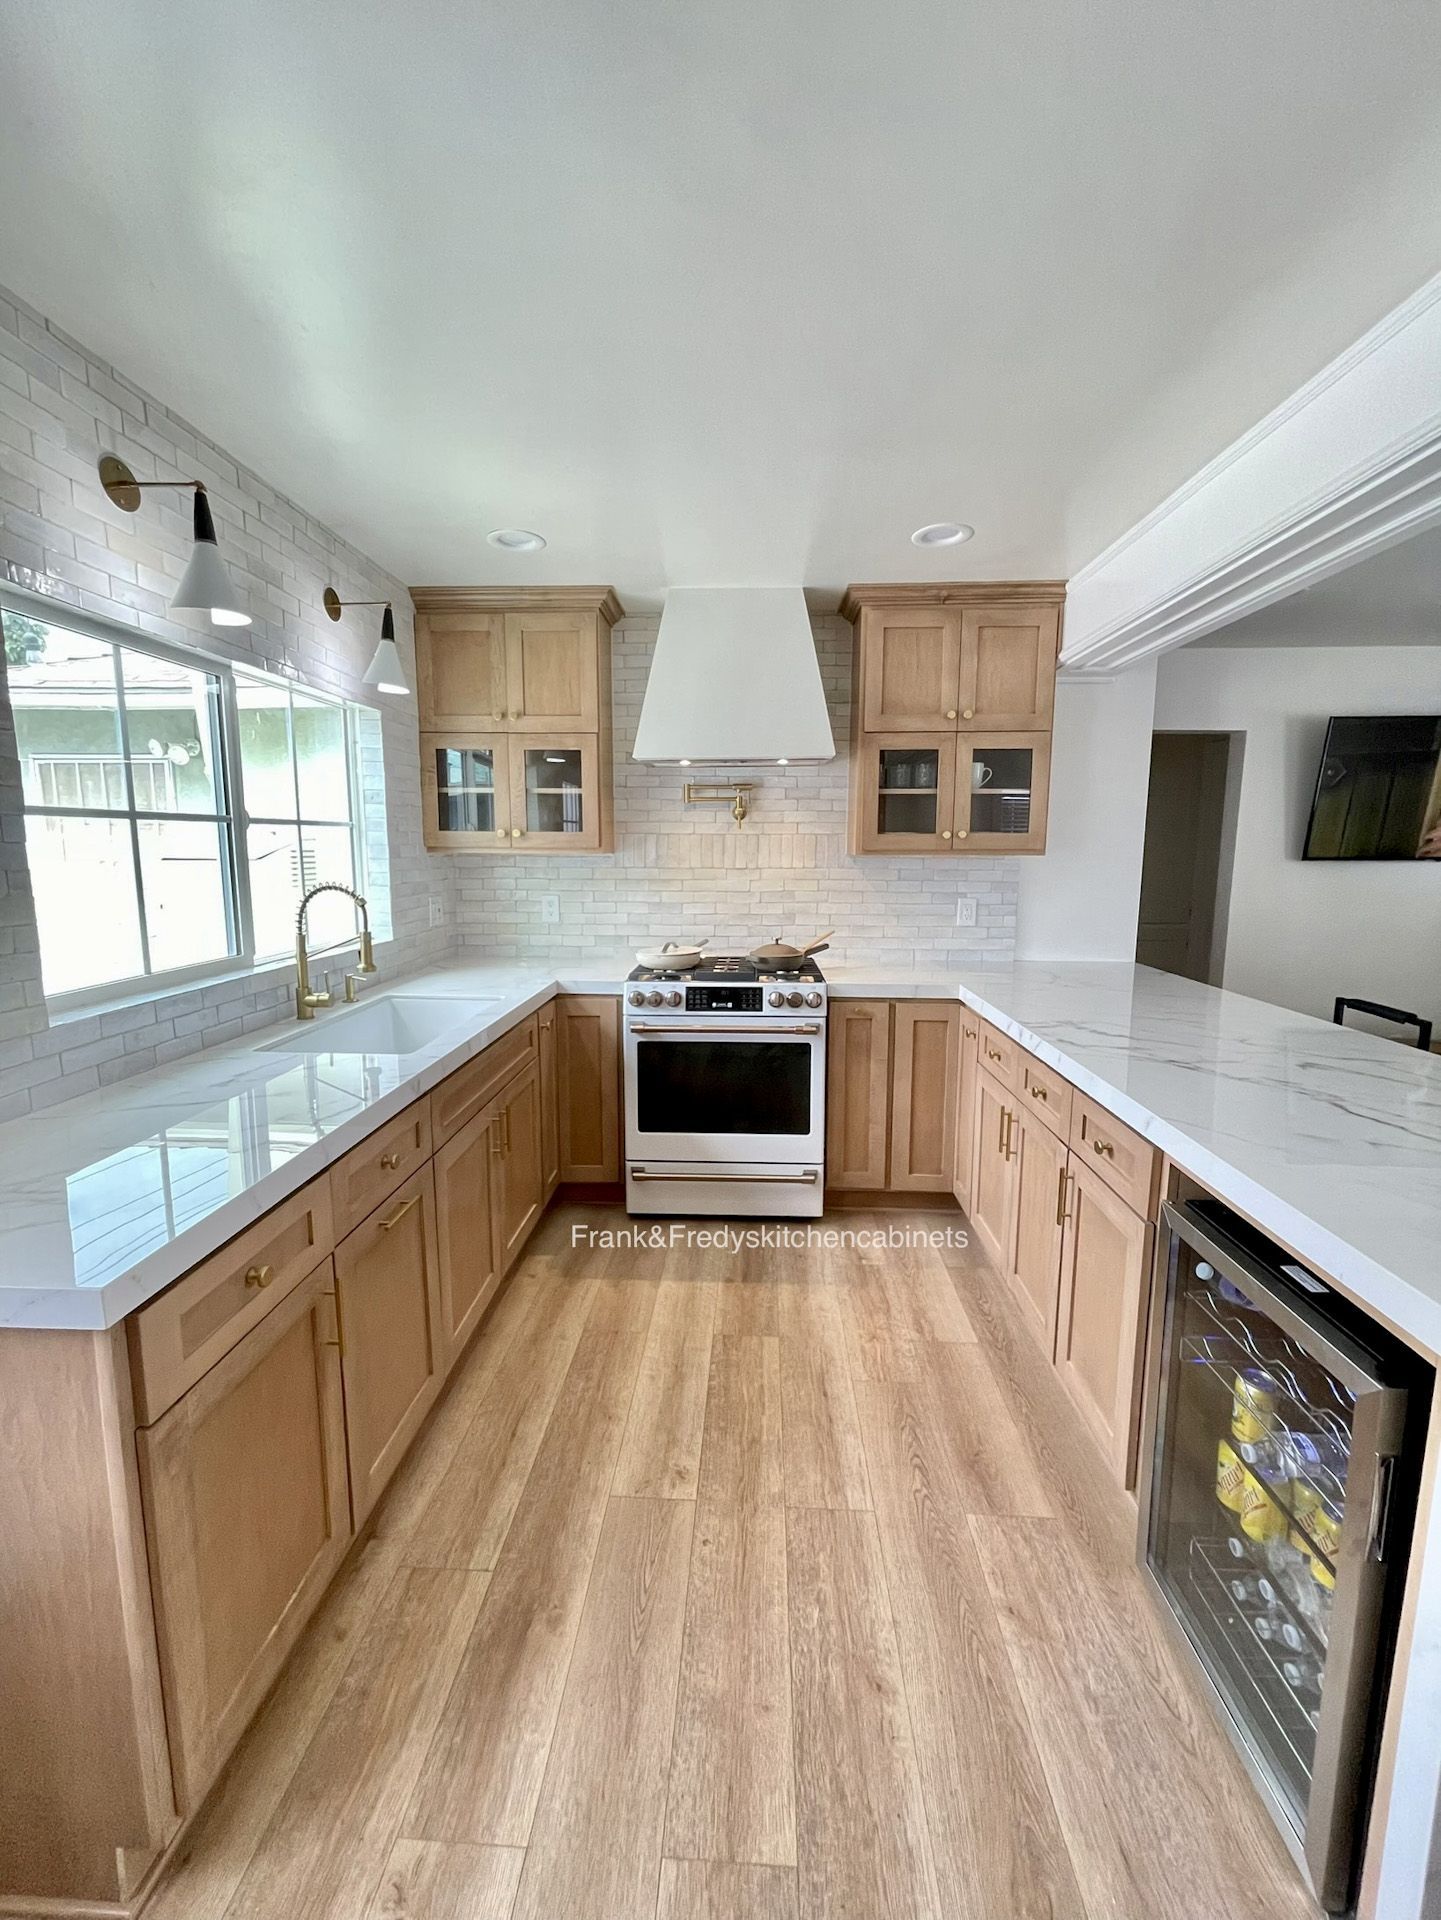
point(206, 1871)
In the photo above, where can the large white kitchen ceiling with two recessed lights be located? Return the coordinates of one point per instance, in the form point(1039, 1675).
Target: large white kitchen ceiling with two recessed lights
point(730, 291)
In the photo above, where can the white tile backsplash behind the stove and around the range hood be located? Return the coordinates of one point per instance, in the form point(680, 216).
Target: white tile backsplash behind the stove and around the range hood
point(694, 871)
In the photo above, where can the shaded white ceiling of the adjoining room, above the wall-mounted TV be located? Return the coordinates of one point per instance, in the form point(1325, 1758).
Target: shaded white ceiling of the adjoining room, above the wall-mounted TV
point(1392, 600)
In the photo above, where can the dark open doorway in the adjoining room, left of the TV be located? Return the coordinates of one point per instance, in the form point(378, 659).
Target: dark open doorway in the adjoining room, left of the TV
point(1191, 813)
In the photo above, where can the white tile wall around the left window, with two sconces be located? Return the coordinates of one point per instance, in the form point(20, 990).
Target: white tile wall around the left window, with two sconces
point(60, 408)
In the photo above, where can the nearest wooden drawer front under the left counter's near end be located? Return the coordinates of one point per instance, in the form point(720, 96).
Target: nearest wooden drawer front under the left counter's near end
point(181, 1335)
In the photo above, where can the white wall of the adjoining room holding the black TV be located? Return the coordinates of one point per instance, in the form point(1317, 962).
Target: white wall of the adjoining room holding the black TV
point(1304, 932)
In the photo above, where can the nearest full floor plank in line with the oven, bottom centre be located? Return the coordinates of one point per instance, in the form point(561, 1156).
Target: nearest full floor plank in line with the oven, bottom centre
point(732, 1779)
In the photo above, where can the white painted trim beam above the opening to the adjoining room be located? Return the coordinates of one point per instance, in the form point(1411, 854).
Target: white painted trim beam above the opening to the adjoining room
point(1342, 469)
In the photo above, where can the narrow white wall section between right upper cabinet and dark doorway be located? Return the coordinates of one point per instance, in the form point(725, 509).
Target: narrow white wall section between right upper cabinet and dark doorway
point(1083, 898)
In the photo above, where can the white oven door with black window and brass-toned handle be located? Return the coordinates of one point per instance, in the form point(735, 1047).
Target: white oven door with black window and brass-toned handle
point(726, 1092)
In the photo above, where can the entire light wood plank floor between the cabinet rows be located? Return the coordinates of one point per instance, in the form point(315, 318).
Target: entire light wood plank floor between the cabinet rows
point(740, 1589)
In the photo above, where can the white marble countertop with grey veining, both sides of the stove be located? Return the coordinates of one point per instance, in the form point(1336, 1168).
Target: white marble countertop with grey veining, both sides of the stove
point(1327, 1138)
